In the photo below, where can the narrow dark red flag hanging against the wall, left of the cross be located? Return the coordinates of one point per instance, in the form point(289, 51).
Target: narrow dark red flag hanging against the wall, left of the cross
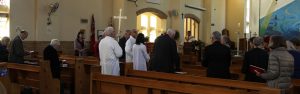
point(92, 37)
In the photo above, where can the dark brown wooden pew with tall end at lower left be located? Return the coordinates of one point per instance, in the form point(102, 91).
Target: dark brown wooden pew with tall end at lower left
point(37, 77)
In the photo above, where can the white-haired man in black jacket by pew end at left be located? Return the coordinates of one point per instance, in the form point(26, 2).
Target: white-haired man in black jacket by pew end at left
point(51, 54)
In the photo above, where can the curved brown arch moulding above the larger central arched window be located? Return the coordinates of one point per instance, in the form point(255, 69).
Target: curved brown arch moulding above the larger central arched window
point(157, 12)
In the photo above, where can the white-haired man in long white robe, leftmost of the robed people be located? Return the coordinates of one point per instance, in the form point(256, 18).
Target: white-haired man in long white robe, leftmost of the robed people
point(109, 52)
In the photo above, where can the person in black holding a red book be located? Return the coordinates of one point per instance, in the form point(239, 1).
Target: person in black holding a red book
point(255, 57)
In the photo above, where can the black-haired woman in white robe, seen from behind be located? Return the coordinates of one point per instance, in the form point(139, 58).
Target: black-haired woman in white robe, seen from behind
point(140, 55)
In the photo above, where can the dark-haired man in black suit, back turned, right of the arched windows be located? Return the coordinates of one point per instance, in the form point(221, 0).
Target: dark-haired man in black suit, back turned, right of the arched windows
point(217, 58)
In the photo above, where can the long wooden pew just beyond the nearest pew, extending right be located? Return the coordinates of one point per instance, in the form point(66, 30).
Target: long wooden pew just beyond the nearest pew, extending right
point(219, 84)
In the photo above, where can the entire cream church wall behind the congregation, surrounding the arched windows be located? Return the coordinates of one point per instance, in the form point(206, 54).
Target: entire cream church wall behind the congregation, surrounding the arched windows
point(31, 15)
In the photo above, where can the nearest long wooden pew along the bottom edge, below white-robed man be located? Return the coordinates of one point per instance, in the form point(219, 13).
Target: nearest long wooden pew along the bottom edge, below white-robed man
point(105, 84)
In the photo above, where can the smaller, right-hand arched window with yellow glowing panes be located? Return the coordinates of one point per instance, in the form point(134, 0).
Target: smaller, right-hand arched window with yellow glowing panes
point(191, 24)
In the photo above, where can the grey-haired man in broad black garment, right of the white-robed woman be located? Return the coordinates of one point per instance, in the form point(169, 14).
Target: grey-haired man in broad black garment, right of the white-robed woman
point(165, 57)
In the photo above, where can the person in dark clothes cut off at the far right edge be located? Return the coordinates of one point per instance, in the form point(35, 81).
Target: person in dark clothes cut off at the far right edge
point(296, 54)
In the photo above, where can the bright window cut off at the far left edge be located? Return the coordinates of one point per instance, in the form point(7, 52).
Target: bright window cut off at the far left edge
point(4, 18)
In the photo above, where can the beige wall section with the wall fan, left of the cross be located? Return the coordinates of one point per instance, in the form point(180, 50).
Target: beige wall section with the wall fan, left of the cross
point(31, 15)
